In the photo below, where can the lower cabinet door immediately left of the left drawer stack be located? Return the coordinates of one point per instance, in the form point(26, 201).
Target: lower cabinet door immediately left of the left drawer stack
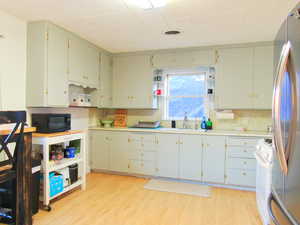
point(118, 152)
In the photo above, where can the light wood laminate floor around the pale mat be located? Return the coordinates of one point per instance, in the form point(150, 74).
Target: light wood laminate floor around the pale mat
point(122, 200)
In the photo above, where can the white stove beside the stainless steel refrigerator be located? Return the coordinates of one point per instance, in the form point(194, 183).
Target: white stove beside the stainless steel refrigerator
point(264, 157)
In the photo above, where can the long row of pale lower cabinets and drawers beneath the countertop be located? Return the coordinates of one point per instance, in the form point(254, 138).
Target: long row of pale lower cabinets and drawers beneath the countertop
point(206, 158)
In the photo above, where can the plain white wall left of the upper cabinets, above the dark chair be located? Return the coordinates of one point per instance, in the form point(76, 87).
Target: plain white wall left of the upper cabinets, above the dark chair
point(12, 62)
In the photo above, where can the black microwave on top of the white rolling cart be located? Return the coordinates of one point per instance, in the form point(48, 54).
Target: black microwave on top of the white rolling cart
point(50, 122)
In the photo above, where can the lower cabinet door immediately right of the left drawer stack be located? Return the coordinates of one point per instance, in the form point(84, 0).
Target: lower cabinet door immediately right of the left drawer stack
point(168, 155)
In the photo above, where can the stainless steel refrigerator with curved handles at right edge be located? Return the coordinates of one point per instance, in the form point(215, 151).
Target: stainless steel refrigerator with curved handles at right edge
point(284, 202)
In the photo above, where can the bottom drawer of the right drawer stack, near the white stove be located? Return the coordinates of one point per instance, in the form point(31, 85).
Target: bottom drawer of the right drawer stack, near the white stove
point(241, 177)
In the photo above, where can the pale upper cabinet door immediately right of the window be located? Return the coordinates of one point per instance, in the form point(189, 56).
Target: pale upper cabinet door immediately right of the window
point(234, 78)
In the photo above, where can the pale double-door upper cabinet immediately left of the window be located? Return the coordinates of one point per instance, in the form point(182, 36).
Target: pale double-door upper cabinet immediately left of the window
point(133, 82)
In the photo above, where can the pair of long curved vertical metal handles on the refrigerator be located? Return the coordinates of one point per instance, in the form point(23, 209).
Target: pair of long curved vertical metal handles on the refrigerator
point(285, 64)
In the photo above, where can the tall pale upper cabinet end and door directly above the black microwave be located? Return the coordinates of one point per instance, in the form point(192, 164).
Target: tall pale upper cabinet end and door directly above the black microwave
point(47, 79)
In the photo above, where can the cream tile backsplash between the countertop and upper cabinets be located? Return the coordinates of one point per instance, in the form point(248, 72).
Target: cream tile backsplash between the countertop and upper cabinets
point(252, 120)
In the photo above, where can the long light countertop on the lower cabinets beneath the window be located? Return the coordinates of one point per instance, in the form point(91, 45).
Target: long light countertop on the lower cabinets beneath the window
point(190, 131)
